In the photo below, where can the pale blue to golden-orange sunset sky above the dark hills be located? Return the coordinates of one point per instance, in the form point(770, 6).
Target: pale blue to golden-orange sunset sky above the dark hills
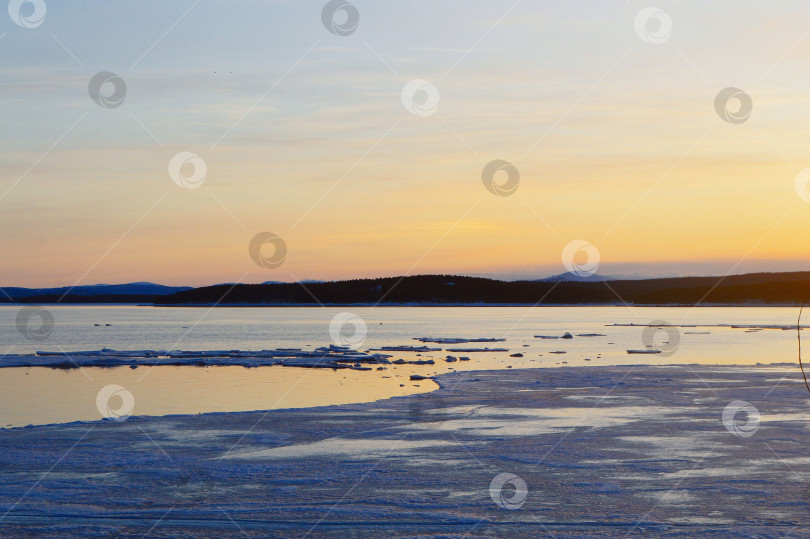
point(305, 134)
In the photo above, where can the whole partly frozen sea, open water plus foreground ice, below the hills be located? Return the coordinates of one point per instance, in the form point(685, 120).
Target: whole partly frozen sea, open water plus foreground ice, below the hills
point(706, 440)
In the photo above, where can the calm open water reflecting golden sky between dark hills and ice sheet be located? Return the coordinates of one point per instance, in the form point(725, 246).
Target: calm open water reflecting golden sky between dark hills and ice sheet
point(35, 396)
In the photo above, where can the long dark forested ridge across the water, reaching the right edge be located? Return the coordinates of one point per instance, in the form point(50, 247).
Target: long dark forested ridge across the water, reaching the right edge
point(750, 289)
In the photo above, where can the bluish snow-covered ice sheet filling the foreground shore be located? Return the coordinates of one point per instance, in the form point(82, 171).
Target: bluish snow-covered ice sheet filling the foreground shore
point(603, 451)
